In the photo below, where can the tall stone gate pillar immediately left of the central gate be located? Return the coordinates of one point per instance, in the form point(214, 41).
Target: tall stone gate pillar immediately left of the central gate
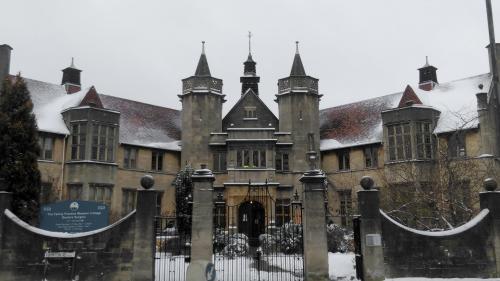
point(202, 226)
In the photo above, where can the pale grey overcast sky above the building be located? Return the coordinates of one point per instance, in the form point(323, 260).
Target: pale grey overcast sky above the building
point(142, 49)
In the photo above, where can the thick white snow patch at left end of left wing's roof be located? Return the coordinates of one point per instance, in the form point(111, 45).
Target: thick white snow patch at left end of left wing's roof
point(49, 100)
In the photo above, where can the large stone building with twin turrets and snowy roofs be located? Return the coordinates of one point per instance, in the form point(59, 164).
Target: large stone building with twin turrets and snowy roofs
point(96, 146)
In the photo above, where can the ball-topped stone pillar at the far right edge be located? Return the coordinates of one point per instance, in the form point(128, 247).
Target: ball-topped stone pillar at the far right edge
point(490, 199)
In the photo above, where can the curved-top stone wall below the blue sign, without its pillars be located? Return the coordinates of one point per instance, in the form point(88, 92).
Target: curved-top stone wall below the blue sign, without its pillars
point(106, 255)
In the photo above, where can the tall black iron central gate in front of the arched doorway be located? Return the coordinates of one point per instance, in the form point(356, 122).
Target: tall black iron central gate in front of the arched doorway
point(258, 239)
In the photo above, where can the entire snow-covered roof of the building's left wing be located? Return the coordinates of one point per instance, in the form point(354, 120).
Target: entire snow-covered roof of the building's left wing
point(140, 124)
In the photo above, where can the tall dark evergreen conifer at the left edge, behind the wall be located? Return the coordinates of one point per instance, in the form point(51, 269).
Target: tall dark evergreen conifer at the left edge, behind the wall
point(19, 148)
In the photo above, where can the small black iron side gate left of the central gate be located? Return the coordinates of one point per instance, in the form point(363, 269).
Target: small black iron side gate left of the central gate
point(173, 248)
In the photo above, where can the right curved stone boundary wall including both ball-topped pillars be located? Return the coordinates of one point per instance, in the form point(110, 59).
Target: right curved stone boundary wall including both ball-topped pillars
point(392, 250)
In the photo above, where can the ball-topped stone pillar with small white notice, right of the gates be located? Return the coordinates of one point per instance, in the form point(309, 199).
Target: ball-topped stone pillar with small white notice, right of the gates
point(371, 231)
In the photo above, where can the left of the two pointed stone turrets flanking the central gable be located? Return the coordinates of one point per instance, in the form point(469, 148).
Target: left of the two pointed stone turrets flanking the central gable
point(202, 101)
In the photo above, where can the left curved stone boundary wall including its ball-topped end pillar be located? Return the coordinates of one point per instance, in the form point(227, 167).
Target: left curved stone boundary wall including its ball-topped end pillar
point(122, 251)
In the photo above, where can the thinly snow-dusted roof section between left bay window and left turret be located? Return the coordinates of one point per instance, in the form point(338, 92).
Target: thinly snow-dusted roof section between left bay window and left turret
point(146, 125)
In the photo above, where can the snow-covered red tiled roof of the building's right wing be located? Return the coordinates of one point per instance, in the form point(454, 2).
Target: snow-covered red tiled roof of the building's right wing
point(360, 123)
